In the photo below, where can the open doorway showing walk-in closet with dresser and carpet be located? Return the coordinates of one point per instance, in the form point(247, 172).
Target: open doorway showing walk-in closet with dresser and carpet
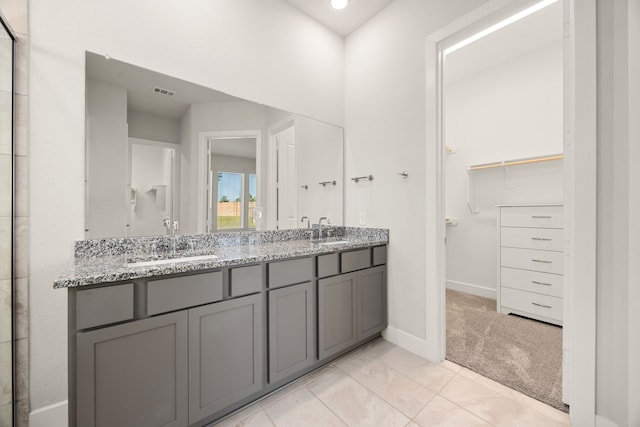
point(503, 171)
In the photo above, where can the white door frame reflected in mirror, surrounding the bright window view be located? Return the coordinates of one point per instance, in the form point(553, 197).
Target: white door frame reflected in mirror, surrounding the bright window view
point(203, 165)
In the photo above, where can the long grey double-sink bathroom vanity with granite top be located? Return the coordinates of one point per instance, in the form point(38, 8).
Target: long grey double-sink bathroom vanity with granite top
point(186, 341)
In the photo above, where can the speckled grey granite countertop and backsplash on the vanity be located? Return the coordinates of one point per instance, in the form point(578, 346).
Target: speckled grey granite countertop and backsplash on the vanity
point(108, 260)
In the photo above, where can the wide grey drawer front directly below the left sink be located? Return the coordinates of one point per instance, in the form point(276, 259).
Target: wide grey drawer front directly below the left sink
point(182, 292)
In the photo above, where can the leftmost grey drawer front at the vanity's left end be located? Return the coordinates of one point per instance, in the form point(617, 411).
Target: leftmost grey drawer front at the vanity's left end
point(101, 306)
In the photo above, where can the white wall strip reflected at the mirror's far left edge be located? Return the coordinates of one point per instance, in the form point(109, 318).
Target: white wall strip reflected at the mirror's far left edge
point(107, 160)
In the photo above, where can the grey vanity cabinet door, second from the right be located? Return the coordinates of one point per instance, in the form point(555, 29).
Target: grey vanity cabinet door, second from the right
point(337, 308)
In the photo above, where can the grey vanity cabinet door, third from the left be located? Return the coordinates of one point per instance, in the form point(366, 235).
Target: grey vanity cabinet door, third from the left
point(290, 330)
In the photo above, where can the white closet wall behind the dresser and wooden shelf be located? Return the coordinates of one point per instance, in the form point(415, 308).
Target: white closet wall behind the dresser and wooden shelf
point(512, 110)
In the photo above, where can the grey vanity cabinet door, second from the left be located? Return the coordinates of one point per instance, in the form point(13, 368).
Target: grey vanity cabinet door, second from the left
point(225, 354)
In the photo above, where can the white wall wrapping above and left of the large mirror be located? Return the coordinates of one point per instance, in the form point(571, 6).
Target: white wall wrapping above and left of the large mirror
point(262, 50)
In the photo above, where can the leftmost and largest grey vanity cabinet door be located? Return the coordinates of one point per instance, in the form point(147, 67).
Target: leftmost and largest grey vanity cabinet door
point(134, 374)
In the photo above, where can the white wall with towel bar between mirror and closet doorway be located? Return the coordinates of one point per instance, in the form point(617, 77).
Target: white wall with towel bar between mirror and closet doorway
point(384, 135)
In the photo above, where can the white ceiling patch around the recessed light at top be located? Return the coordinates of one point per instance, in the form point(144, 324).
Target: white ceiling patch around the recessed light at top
point(343, 21)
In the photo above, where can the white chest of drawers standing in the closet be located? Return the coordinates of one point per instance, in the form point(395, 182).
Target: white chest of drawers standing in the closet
point(530, 259)
